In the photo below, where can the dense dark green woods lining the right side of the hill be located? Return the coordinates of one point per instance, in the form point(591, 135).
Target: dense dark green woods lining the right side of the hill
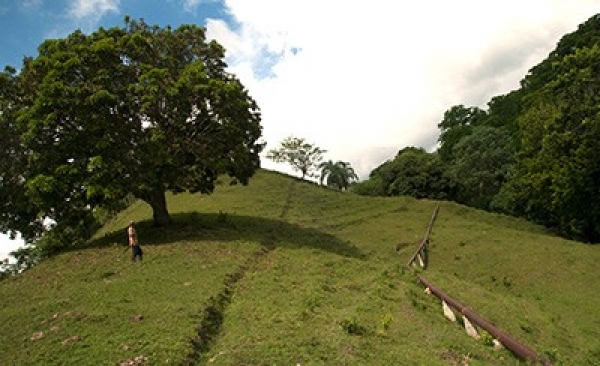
point(534, 153)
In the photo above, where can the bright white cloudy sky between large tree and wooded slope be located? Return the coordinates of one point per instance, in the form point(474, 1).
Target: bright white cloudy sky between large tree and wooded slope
point(361, 78)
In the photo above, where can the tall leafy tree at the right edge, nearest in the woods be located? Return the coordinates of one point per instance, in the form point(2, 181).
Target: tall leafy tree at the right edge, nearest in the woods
point(556, 179)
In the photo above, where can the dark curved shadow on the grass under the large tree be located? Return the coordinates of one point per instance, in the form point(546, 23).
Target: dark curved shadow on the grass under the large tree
point(271, 233)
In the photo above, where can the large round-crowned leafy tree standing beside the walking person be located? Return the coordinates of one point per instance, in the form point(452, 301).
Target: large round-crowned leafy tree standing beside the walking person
point(136, 110)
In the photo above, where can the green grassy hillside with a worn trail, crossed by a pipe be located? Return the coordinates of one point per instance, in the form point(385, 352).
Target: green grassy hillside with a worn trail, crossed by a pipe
point(284, 272)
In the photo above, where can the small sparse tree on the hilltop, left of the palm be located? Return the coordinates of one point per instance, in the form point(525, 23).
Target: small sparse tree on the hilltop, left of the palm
point(301, 155)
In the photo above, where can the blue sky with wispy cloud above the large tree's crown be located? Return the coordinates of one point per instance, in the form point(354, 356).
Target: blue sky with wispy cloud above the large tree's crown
point(24, 24)
